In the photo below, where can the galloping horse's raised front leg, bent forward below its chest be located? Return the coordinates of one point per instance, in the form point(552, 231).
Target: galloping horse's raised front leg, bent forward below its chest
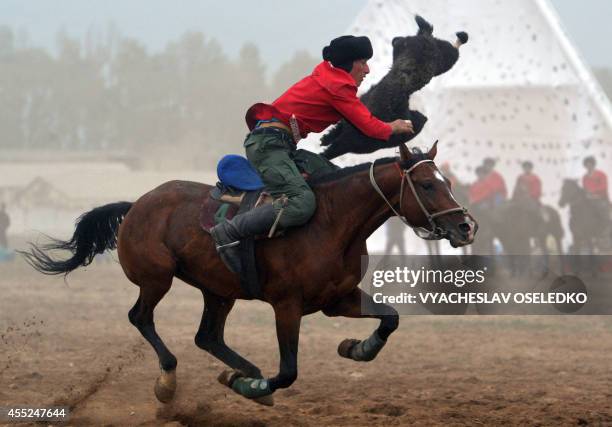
point(351, 306)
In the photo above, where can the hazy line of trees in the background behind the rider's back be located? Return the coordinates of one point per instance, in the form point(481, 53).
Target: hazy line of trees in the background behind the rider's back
point(188, 100)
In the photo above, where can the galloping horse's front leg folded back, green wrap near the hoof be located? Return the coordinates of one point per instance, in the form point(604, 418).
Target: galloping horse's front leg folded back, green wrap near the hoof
point(288, 317)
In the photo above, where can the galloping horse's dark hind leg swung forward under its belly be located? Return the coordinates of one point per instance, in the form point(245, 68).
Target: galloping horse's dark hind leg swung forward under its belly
point(210, 335)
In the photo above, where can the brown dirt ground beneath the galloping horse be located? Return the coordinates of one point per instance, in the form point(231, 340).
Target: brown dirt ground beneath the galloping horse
point(71, 344)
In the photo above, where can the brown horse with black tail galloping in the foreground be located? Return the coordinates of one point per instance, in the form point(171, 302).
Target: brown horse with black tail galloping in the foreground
point(312, 268)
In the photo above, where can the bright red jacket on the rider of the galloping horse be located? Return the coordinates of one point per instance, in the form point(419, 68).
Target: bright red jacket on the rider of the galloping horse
point(320, 100)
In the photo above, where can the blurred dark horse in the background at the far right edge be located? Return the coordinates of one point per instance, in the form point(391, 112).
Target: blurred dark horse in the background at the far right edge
point(589, 220)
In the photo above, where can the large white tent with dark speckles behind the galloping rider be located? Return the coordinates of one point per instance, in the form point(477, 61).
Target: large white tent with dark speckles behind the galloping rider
point(519, 90)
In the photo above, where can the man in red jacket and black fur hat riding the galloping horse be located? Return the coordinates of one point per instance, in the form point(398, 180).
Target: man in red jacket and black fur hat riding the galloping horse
point(310, 105)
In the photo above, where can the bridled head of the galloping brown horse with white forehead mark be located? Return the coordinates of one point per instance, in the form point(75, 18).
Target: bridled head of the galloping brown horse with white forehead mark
point(427, 203)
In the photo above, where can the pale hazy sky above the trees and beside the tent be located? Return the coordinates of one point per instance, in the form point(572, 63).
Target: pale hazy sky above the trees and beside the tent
point(278, 27)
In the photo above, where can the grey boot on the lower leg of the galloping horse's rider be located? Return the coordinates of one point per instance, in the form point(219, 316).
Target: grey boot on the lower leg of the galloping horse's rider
point(227, 235)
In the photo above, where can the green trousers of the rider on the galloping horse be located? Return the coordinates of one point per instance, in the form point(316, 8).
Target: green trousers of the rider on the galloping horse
point(271, 154)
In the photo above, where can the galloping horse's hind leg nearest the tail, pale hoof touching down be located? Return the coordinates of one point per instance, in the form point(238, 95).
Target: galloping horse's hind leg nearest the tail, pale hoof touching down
point(141, 316)
